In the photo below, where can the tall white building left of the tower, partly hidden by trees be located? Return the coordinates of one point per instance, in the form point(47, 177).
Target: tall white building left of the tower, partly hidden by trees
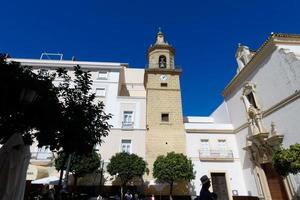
point(122, 91)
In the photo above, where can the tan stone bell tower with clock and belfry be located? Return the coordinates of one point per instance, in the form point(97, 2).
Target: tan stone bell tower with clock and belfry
point(165, 128)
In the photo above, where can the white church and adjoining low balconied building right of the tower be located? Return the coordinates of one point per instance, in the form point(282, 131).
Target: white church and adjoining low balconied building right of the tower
point(259, 113)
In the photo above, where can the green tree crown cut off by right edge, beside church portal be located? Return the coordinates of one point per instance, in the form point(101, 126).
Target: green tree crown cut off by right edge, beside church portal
point(287, 160)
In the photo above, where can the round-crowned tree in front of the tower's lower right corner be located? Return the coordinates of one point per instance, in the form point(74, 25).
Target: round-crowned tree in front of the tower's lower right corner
point(173, 168)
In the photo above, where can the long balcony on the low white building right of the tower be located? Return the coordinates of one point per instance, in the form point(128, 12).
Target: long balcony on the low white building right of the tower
point(216, 155)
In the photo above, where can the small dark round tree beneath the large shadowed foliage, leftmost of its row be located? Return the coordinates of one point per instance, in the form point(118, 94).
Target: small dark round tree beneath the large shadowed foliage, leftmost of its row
point(80, 165)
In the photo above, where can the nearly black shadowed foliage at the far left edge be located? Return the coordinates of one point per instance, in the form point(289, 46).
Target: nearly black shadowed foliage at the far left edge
point(28, 102)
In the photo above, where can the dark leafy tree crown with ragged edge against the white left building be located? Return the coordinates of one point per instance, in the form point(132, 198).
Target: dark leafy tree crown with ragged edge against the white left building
point(84, 121)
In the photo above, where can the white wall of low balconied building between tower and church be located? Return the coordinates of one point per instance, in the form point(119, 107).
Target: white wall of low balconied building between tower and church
point(231, 168)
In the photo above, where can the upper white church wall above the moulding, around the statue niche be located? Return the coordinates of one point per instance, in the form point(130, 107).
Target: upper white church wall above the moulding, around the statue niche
point(276, 78)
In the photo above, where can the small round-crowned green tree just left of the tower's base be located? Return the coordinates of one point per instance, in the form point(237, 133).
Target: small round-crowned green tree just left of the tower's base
point(126, 167)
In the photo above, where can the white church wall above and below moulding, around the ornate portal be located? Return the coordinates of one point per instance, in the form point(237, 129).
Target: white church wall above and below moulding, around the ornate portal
point(276, 78)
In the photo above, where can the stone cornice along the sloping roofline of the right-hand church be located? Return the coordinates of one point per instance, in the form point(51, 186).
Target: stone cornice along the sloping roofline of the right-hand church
point(266, 49)
